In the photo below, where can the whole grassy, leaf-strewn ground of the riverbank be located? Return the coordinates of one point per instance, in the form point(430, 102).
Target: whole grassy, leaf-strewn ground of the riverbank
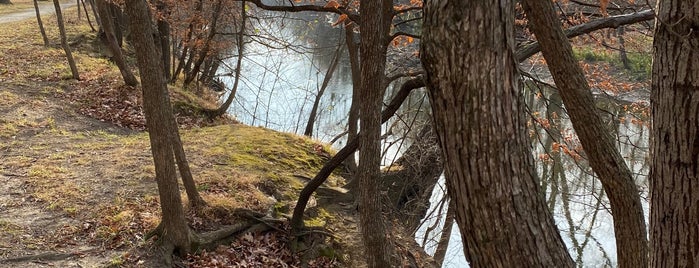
point(77, 184)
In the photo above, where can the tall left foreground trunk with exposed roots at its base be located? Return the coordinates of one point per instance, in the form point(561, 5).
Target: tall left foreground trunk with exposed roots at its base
point(158, 112)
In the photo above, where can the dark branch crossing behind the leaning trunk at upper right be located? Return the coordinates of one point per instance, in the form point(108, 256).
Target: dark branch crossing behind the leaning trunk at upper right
point(609, 22)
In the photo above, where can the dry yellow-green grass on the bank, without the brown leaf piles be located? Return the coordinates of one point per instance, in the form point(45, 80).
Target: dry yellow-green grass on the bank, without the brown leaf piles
point(95, 182)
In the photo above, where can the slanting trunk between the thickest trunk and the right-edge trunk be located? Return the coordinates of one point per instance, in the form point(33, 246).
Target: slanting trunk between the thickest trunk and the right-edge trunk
point(594, 135)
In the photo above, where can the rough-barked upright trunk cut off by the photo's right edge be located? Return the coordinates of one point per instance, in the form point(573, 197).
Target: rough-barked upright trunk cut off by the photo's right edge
point(674, 169)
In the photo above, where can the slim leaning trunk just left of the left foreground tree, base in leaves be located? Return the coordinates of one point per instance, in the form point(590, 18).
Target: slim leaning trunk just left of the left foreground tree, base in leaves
point(108, 28)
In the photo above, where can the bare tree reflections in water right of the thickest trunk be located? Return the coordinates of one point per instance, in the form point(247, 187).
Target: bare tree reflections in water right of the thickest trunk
point(572, 191)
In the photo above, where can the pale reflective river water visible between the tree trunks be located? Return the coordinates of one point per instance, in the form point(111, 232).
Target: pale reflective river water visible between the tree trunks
point(280, 79)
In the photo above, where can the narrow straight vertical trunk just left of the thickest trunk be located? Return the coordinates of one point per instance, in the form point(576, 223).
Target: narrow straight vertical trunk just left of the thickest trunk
point(375, 28)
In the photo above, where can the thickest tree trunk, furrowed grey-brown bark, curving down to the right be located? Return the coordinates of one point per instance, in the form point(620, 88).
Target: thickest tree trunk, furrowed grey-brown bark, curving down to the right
point(468, 53)
